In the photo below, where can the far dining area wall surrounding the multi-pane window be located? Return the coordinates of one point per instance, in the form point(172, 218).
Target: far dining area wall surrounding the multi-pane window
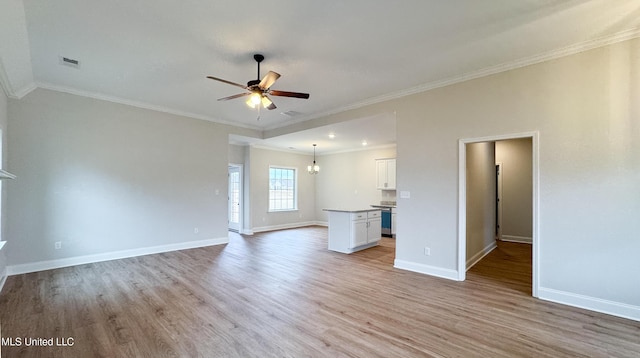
point(261, 219)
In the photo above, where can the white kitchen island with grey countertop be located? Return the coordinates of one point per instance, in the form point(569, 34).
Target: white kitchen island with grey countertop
point(352, 230)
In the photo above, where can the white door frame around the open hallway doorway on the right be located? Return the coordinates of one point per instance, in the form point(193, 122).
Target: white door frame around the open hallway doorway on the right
point(462, 202)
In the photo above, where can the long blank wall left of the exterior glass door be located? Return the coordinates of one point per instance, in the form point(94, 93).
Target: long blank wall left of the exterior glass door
point(104, 177)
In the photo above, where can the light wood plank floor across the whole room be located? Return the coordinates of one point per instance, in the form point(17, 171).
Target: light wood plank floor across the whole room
point(283, 294)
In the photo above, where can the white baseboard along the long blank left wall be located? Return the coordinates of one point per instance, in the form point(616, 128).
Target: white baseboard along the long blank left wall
point(87, 259)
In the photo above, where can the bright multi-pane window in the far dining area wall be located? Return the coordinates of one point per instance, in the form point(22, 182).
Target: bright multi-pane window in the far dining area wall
point(282, 189)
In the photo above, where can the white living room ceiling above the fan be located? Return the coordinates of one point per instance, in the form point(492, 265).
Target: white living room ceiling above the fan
point(157, 53)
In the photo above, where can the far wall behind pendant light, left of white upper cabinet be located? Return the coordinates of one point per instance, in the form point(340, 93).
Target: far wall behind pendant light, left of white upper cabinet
point(348, 180)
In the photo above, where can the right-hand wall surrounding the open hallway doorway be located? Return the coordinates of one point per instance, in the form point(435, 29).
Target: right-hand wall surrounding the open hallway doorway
point(585, 108)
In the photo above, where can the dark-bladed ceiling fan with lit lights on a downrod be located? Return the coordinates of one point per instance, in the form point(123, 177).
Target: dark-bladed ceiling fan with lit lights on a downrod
point(258, 90)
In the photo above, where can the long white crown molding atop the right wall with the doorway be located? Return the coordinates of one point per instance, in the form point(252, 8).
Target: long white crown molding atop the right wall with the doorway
point(487, 71)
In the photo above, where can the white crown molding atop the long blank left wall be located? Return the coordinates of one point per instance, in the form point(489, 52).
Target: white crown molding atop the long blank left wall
point(138, 104)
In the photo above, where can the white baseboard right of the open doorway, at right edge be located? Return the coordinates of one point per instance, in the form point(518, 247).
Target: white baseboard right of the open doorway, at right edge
point(590, 303)
